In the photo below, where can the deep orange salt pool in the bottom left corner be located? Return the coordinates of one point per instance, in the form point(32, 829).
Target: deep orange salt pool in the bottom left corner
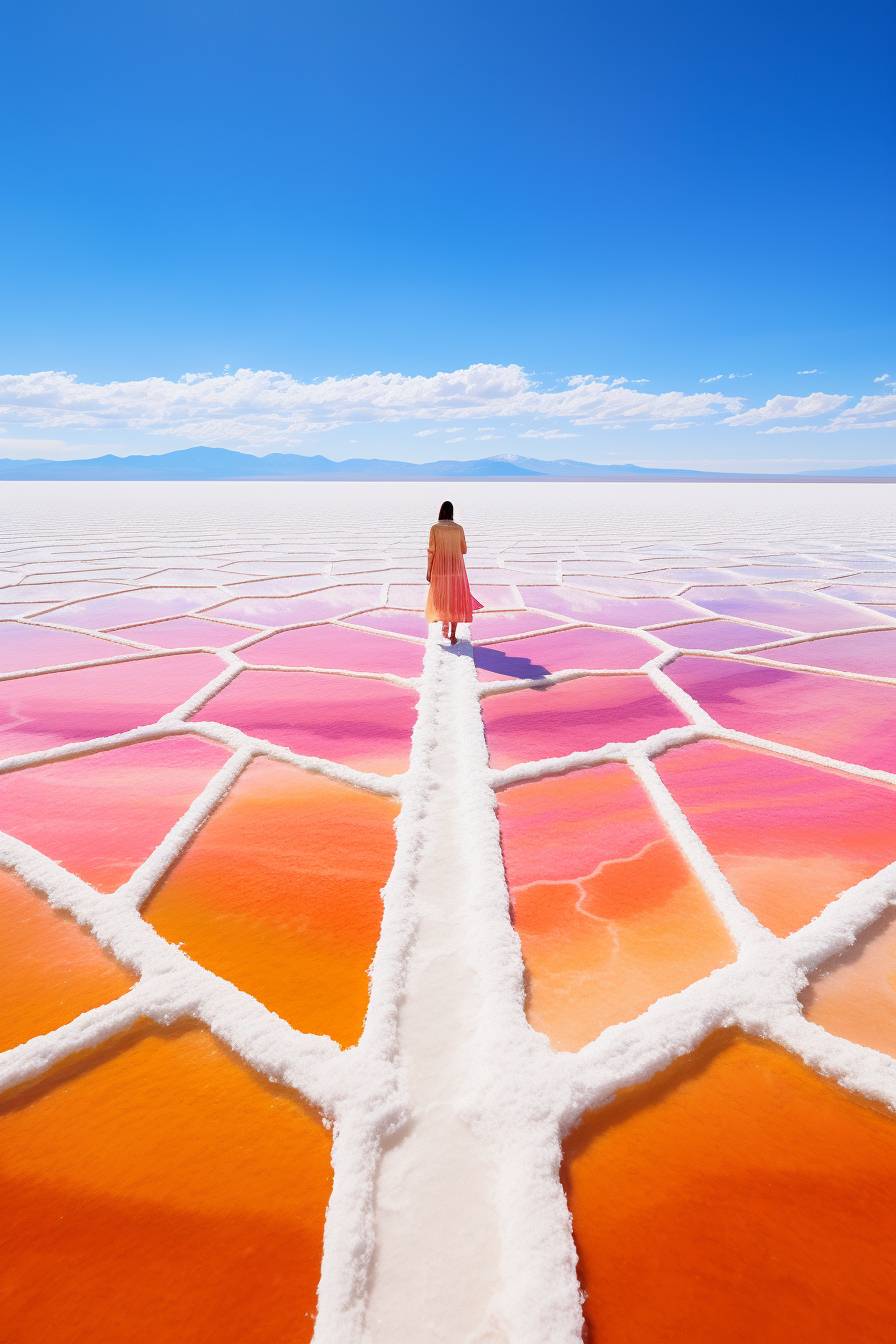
point(159, 1190)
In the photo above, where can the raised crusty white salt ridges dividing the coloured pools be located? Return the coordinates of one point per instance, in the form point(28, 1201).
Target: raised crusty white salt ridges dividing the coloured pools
point(518, 1096)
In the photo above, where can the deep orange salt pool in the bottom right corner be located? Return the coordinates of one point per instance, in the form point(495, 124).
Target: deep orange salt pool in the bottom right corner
point(740, 1197)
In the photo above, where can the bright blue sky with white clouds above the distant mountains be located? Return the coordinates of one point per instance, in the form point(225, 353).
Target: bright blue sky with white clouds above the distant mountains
point(578, 213)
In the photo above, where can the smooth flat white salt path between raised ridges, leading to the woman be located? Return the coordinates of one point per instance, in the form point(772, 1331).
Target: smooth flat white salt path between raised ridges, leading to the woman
point(437, 1255)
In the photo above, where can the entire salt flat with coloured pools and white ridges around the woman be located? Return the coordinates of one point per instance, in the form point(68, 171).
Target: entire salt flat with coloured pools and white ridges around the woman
point(621, 868)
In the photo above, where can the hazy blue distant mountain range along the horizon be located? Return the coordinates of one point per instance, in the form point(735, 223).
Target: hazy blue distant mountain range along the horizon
point(221, 464)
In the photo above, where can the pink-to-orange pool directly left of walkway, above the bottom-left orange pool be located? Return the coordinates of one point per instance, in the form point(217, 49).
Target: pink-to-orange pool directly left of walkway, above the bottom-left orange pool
point(280, 893)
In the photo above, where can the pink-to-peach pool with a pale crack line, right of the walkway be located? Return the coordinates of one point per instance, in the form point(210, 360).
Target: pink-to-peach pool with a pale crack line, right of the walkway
point(608, 913)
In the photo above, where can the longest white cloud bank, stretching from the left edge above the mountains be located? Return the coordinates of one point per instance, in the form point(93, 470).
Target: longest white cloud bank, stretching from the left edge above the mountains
point(264, 408)
